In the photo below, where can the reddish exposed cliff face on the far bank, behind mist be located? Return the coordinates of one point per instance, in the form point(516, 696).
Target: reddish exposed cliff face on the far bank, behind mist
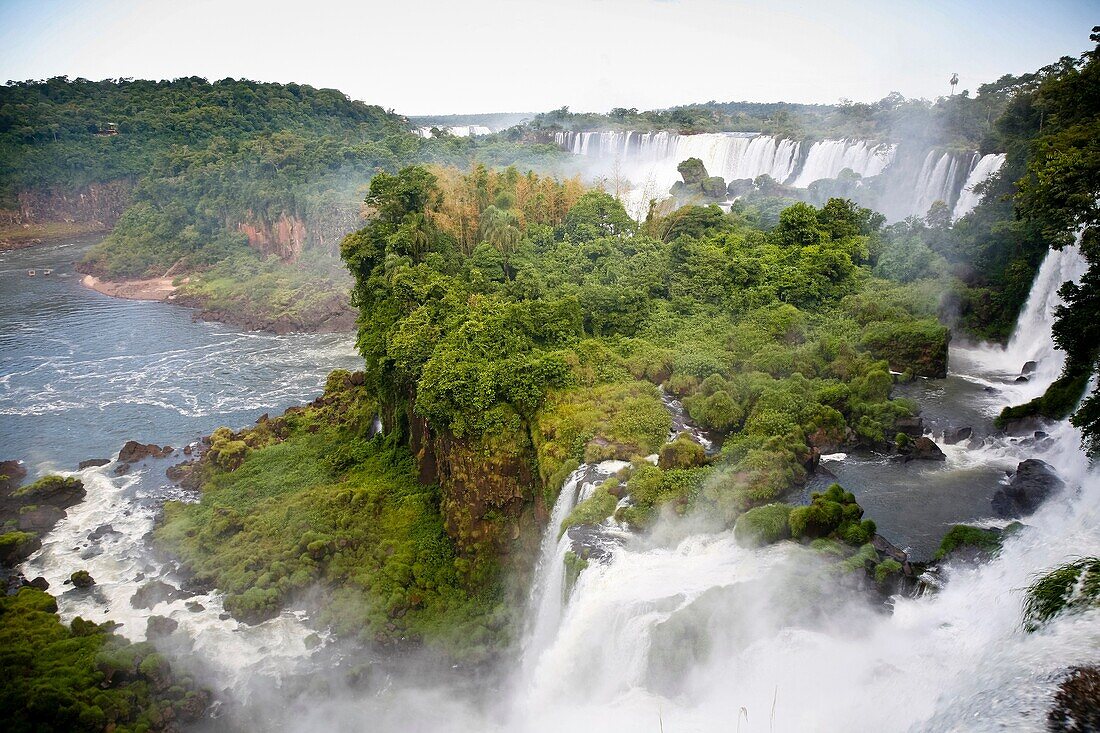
point(291, 234)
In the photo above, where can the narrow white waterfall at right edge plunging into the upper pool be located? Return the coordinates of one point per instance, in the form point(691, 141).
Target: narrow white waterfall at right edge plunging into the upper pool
point(1031, 341)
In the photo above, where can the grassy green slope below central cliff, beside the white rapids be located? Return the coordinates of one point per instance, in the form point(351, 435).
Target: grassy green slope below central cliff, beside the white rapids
point(317, 507)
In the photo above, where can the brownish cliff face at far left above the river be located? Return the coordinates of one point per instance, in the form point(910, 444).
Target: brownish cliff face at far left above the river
point(94, 204)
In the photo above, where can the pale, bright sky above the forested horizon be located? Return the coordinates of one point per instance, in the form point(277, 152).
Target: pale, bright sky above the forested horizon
point(428, 57)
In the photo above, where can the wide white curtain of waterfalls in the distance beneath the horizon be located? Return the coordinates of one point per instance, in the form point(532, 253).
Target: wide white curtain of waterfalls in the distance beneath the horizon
point(644, 167)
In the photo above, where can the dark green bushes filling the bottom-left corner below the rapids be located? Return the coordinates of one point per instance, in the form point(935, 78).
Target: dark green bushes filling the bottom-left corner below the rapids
point(83, 677)
